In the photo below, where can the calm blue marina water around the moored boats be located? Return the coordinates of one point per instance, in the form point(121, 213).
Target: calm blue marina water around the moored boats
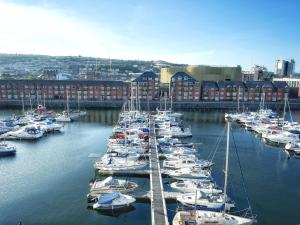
point(47, 181)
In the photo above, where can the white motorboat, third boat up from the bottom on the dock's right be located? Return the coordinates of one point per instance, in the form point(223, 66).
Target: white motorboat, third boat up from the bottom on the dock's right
point(206, 187)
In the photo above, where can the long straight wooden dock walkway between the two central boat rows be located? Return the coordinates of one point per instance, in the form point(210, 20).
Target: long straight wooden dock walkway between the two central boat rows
point(158, 204)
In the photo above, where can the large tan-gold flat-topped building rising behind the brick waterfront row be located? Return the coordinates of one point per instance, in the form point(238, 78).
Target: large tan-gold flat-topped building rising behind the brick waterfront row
point(200, 73)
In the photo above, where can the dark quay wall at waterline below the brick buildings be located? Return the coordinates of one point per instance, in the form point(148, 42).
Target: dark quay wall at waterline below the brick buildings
point(182, 105)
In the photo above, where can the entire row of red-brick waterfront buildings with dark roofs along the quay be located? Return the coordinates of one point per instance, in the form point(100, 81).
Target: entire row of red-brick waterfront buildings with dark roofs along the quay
point(183, 87)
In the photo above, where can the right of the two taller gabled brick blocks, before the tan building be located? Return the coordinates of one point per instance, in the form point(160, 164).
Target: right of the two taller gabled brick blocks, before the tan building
point(184, 87)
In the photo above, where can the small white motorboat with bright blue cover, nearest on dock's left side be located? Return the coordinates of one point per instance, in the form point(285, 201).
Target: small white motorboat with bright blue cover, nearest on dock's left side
point(112, 201)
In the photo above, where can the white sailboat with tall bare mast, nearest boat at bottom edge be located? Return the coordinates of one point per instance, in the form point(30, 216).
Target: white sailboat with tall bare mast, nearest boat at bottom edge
point(201, 217)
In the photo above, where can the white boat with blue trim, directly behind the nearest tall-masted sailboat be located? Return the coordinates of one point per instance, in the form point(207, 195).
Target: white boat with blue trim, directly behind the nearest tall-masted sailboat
point(200, 200)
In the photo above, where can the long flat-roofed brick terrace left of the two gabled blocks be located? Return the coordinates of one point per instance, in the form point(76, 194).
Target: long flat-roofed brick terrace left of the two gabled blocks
point(54, 89)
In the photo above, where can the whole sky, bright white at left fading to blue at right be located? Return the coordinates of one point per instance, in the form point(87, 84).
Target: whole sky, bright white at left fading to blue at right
point(195, 32)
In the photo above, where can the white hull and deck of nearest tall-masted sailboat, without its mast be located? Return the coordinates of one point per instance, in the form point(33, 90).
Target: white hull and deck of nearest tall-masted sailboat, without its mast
point(204, 217)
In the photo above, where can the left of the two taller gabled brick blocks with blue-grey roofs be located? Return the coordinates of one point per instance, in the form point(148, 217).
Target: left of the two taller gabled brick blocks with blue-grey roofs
point(146, 86)
